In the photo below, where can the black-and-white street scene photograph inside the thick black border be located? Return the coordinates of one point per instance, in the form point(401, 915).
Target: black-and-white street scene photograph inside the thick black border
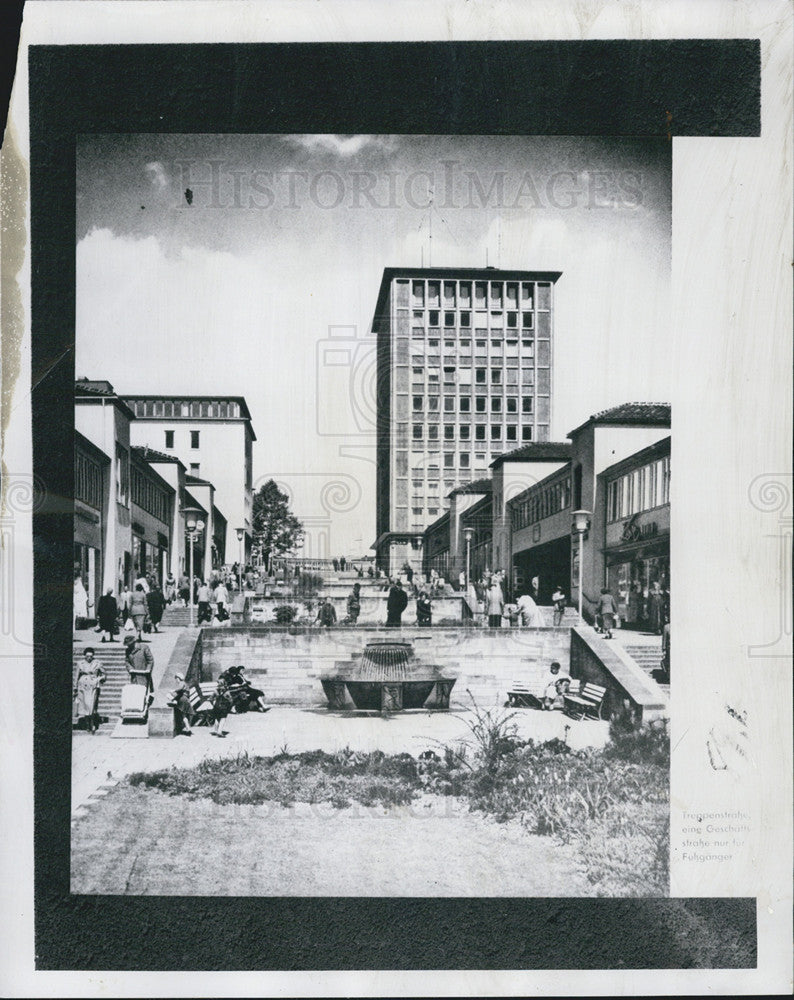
point(372, 516)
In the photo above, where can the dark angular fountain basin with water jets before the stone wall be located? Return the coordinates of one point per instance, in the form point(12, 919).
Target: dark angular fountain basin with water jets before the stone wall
point(388, 677)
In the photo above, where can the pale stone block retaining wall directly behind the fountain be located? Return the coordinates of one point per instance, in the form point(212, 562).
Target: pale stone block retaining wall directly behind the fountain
point(288, 663)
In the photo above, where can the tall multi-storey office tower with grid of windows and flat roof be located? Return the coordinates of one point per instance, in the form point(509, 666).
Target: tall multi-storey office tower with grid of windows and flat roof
point(464, 374)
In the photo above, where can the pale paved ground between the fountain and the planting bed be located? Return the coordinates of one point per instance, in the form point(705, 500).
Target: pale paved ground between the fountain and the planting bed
point(99, 761)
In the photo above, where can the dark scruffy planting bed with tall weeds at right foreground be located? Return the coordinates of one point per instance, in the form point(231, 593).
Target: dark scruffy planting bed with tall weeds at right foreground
point(611, 805)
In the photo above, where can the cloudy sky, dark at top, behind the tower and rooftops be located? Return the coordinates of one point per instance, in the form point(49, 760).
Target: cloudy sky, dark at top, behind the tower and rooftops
point(250, 265)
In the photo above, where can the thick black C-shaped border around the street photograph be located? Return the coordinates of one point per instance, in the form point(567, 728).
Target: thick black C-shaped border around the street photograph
point(640, 88)
